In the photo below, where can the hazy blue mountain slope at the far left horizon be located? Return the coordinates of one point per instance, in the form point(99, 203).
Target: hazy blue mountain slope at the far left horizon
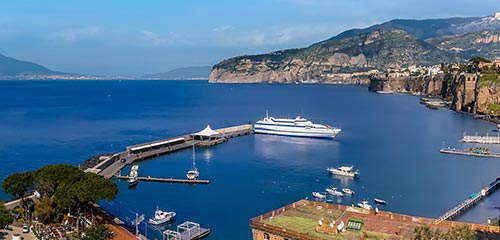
point(13, 67)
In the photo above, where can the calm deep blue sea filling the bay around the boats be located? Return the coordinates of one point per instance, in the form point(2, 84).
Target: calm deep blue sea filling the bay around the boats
point(393, 140)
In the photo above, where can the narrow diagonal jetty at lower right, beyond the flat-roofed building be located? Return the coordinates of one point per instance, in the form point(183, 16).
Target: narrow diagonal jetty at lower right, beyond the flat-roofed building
point(469, 202)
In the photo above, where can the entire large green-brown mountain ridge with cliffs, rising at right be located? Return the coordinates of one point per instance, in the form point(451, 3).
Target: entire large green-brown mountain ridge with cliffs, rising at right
point(354, 53)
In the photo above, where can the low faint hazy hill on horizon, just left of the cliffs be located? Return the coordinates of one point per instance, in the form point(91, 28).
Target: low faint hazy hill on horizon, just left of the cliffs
point(183, 73)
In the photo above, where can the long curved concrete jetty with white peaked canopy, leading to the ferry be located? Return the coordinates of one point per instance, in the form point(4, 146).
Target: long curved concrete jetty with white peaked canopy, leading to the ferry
point(111, 166)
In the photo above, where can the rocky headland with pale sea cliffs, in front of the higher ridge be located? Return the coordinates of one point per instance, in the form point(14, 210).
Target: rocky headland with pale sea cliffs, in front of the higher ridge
point(331, 61)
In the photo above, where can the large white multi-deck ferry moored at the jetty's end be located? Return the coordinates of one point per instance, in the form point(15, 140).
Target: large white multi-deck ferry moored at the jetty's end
point(297, 127)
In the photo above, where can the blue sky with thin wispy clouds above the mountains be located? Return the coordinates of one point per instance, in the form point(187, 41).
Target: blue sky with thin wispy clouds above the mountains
point(131, 37)
